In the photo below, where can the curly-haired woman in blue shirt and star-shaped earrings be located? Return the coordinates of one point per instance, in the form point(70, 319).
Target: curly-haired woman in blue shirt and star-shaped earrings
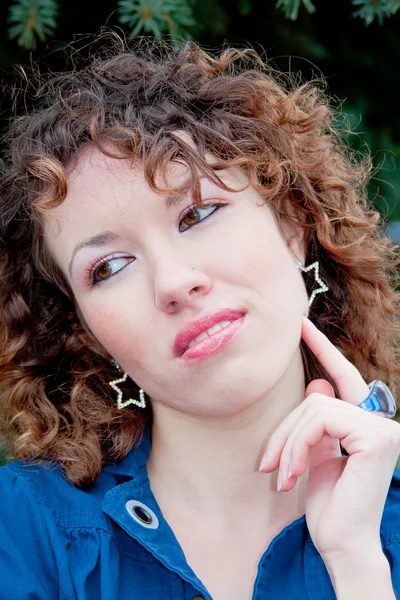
point(169, 221)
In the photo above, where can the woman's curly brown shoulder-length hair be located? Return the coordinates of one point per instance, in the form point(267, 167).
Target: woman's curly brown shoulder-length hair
point(130, 102)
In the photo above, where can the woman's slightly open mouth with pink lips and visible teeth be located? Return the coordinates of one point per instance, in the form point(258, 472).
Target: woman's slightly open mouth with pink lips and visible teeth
point(207, 334)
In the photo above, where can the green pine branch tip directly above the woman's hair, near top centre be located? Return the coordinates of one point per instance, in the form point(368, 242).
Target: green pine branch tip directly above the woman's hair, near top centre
point(157, 16)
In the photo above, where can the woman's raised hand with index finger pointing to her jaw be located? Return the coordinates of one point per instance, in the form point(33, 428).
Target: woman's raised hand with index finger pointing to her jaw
point(345, 496)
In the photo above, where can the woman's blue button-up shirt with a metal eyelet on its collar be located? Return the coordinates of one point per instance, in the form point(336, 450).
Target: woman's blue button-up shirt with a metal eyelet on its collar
point(112, 542)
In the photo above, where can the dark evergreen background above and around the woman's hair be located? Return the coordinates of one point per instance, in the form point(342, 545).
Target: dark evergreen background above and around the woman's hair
point(354, 44)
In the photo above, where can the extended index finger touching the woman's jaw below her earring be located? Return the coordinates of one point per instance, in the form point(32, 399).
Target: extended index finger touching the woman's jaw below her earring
point(351, 385)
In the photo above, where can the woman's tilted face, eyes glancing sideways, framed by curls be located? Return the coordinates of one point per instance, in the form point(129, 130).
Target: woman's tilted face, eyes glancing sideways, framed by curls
point(145, 303)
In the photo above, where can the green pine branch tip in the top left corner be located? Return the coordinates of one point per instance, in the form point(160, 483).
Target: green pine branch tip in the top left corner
point(32, 19)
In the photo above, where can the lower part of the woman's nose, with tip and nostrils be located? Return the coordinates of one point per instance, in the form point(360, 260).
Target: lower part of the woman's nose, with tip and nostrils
point(178, 283)
